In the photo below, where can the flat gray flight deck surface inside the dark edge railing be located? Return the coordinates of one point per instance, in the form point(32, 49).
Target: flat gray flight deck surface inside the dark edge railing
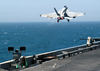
point(89, 61)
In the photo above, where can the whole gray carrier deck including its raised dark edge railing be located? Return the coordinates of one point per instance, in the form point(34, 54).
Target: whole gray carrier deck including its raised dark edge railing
point(79, 58)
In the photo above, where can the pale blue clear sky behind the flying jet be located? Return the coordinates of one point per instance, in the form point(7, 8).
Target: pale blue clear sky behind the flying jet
point(30, 10)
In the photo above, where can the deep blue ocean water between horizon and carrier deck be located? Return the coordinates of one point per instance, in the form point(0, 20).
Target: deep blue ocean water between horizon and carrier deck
point(41, 37)
